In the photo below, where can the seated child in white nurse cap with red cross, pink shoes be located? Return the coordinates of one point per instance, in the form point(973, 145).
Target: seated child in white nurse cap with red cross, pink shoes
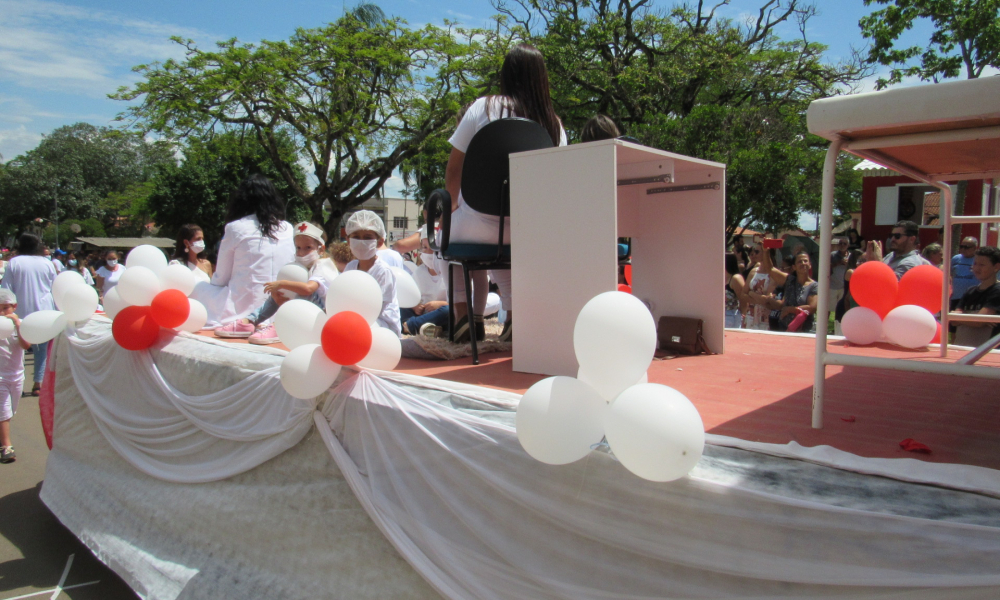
point(309, 253)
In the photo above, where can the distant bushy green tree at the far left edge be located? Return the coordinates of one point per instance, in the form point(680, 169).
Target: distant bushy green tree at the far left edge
point(76, 167)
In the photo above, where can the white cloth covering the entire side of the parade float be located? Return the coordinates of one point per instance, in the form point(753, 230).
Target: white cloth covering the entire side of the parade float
point(438, 469)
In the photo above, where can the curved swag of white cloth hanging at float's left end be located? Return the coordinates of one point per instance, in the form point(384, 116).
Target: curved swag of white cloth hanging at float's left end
point(176, 437)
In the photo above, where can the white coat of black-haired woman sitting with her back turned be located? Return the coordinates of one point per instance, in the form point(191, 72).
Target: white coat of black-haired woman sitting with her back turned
point(247, 260)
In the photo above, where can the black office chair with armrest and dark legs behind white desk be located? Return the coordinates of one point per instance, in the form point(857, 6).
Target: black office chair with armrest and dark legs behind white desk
point(486, 189)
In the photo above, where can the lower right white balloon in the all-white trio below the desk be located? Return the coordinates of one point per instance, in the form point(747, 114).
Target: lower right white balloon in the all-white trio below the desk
point(655, 432)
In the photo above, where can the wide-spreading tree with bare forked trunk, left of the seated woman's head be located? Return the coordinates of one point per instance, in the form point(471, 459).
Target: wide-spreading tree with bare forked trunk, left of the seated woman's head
point(356, 98)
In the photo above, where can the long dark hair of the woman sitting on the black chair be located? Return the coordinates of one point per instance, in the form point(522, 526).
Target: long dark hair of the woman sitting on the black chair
point(524, 81)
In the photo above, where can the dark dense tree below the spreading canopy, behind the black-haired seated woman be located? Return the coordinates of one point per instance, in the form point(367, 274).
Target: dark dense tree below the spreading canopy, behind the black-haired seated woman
point(198, 189)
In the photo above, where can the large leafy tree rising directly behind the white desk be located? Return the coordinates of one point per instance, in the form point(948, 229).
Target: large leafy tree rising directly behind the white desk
point(691, 82)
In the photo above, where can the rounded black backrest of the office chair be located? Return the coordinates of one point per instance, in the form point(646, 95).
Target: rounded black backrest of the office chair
point(486, 171)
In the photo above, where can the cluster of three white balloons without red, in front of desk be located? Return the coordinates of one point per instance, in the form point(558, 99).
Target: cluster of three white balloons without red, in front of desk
point(653, 430)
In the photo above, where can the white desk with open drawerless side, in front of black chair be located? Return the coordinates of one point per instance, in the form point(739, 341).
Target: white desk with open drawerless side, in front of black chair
point(567, 213)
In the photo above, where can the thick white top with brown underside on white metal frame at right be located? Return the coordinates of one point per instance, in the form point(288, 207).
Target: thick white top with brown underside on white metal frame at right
point(947, 131)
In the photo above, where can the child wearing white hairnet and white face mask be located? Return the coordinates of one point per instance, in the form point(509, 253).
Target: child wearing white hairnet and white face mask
point(365, 231)
